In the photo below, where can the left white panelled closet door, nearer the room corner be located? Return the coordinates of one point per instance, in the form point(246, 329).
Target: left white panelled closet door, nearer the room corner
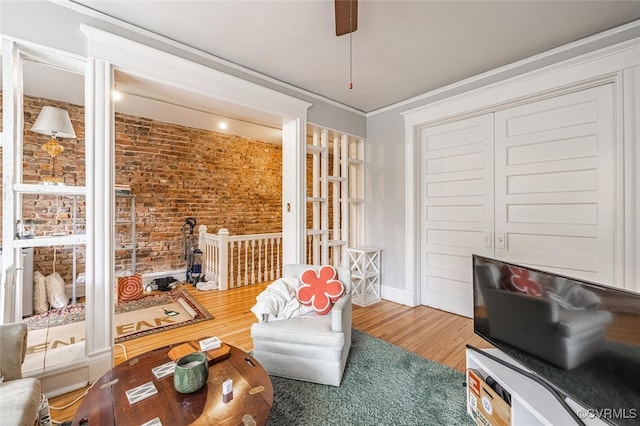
point(456, 209)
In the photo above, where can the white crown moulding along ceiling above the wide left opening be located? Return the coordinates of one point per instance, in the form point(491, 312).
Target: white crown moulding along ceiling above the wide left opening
point(154, 36)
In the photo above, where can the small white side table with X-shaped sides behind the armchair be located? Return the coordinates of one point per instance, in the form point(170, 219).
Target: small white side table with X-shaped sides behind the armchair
point(364, 263)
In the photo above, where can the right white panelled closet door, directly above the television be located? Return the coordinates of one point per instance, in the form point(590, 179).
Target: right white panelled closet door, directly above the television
point(555, 184)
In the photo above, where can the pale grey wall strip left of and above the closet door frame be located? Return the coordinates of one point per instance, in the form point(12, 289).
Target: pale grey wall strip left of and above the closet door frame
point(386, 201)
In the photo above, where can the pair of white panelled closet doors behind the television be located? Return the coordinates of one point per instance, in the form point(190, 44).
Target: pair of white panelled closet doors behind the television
point(546, 199)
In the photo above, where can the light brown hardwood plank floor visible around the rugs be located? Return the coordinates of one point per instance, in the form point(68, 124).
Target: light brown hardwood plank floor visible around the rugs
point(433, 334)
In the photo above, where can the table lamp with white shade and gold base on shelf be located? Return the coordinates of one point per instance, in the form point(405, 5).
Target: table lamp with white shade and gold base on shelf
point(53, 122)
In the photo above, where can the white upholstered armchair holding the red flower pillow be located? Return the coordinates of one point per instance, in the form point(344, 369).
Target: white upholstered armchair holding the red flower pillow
point(309, 347)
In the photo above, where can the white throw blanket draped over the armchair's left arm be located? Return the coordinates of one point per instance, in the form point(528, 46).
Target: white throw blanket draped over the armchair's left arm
point(279, 301)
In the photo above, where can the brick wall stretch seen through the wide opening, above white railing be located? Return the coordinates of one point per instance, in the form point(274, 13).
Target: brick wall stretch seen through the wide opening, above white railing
point(177, 172)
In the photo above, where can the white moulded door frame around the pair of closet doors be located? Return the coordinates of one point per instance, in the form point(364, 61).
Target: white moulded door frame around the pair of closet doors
point(619, 64)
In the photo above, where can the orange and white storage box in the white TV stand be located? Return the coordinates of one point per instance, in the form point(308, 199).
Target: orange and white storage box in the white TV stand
point(485, 406)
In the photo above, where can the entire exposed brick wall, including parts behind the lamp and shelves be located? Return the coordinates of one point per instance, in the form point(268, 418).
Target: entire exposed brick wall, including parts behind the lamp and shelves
point(175, 172)
